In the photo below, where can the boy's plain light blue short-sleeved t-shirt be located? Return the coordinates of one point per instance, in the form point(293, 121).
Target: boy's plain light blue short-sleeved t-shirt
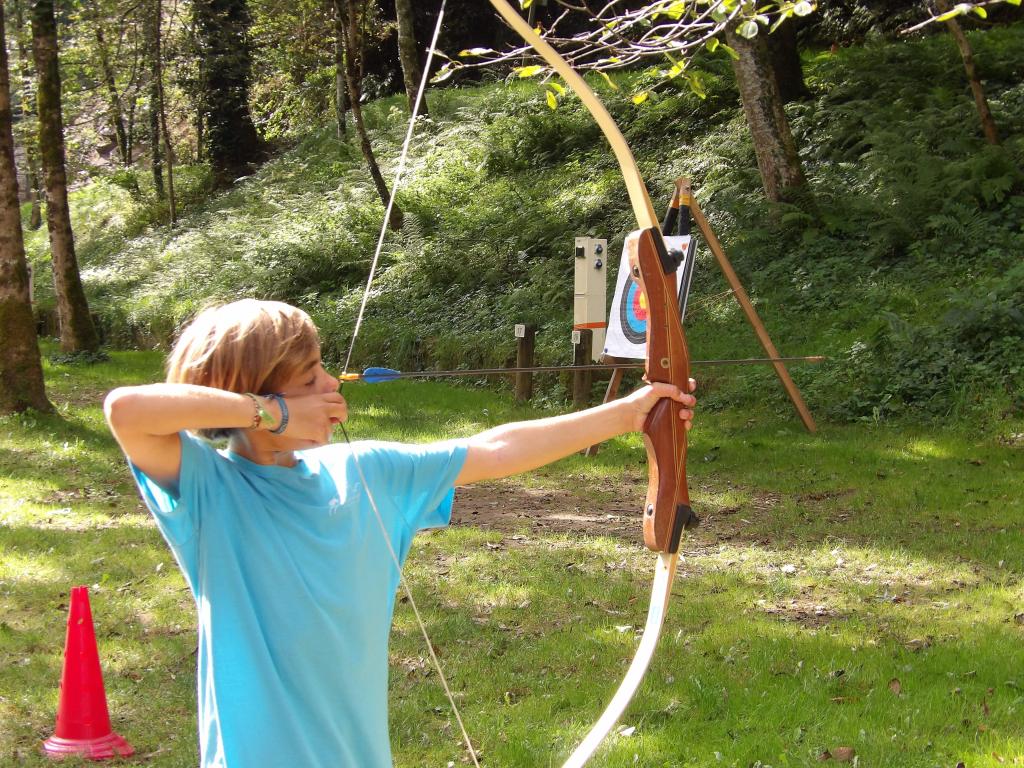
point(295, 588)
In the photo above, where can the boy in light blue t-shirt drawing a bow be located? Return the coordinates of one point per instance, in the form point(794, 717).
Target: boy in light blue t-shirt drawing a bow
point(276, 535)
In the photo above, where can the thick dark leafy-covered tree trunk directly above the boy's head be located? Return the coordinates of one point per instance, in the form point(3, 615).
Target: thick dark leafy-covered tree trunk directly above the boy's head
point(233, 146)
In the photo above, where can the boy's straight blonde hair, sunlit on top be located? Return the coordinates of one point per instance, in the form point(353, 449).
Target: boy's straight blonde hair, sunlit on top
point(244, 347)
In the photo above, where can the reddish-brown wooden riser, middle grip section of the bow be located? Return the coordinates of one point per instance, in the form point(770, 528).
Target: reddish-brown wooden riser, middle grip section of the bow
point(667, 508)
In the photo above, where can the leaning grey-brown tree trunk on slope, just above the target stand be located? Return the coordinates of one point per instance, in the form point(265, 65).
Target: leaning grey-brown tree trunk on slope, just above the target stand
point(782, 175)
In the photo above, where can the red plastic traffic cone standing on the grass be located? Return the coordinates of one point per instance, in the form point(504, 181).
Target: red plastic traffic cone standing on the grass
point(83, 722)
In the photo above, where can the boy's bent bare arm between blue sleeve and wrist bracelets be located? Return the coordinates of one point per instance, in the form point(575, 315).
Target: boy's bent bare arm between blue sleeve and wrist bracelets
point(146, 420)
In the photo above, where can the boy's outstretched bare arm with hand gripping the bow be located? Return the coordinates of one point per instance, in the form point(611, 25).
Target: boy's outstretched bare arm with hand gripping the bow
point(521, 447)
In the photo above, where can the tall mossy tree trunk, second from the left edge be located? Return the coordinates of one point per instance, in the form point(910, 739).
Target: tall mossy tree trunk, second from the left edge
point(77, 331)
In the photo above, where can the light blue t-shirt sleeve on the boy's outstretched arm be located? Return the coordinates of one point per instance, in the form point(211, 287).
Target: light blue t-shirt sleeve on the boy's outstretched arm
point(418, 480)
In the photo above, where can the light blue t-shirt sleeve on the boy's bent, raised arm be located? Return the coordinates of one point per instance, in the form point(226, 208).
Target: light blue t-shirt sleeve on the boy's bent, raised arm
point(177, 510)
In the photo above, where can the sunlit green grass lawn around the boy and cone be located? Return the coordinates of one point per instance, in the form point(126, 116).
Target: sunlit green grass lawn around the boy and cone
point(854, 595)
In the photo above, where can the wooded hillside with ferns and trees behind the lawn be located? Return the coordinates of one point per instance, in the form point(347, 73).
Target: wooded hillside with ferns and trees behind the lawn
point(895, 225)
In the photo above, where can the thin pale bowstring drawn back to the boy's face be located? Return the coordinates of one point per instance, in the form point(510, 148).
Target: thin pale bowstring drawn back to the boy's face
point(356, 332)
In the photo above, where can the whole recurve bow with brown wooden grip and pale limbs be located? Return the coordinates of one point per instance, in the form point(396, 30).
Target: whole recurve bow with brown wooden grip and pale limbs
point(667, 509)
